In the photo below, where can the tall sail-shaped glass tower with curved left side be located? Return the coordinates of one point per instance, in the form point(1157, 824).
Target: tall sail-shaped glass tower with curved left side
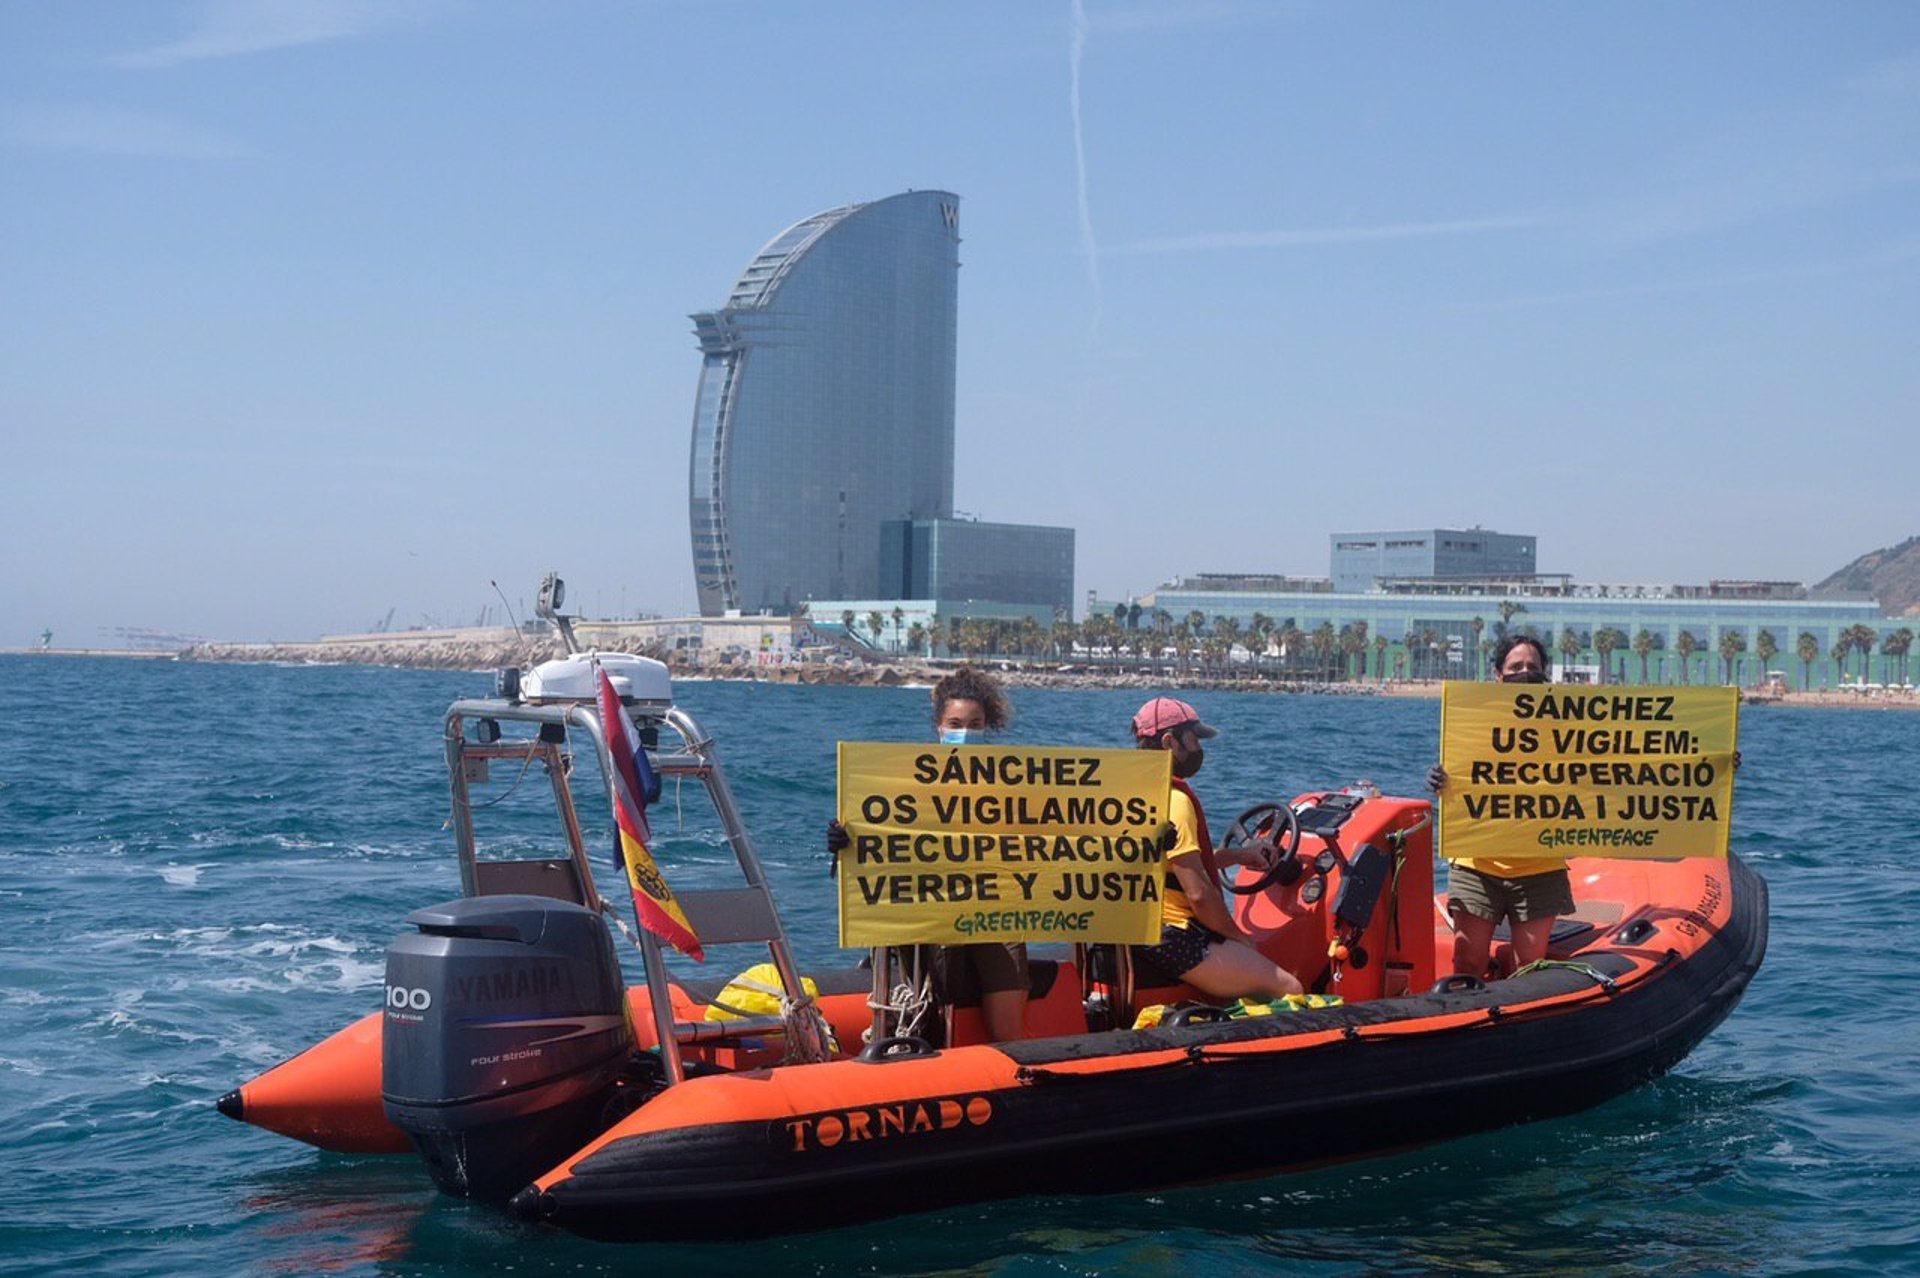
point(827, 404)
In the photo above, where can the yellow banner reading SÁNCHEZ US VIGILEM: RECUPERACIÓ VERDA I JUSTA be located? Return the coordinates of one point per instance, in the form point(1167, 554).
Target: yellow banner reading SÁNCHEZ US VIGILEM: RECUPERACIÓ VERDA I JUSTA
point(1547, 772)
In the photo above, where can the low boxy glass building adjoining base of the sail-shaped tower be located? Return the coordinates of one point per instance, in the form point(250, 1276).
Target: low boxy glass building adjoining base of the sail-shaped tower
point(976, 561)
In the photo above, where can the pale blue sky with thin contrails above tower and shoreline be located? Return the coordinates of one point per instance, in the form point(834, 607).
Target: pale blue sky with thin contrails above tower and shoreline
point(316, 310)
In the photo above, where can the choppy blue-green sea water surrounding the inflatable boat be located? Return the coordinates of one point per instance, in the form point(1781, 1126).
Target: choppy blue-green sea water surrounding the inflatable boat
point(201, 870)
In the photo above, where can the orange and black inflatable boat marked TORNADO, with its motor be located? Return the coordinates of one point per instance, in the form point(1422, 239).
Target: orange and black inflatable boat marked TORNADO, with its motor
point(516, 1062)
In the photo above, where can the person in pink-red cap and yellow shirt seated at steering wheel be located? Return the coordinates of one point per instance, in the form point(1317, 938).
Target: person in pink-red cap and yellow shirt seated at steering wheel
point(1199, 939)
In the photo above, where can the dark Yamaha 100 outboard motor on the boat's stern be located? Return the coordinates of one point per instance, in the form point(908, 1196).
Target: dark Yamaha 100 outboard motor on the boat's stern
point(506, 1031)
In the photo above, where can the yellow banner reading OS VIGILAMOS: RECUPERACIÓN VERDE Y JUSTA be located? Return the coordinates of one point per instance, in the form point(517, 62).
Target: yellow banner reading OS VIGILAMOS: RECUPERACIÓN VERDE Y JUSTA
point(953, 845)
